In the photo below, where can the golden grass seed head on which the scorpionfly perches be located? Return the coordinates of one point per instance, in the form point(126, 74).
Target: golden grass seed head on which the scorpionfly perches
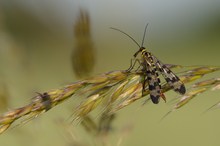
point(115, 90)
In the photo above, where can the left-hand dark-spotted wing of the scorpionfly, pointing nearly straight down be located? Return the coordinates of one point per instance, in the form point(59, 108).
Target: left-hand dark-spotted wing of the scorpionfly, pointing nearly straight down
point(153, 82)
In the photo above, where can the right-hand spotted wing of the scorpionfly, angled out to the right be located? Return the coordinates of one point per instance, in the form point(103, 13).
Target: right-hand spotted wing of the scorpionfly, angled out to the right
point(170, 77)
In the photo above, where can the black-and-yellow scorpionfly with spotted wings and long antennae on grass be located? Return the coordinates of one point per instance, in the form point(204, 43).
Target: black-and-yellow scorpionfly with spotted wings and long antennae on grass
point(151, 67)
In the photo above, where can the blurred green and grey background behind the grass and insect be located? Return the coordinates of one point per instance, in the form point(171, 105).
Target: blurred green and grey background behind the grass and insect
point(36, 42)
